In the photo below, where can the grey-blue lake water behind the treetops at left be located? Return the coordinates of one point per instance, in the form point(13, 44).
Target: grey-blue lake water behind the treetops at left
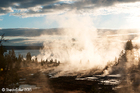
point(24, 52)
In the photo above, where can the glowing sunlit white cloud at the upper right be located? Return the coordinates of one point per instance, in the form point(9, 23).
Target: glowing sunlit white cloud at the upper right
point(126, 8)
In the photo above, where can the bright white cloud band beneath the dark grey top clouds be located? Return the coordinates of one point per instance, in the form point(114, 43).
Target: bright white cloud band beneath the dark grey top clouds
point(123, 8)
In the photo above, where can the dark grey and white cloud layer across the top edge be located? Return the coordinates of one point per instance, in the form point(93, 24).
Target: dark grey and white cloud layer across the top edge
point(26, 8)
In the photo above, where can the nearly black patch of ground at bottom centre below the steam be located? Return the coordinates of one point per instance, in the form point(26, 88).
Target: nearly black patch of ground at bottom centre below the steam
point(69, 83)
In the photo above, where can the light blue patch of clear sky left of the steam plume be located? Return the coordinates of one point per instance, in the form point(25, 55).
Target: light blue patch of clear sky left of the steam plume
point(19, 22)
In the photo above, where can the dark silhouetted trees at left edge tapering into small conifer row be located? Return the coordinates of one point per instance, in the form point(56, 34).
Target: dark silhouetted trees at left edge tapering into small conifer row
point(10, 64)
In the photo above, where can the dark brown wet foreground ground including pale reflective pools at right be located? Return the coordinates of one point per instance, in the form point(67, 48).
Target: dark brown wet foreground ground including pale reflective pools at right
point(41, 82)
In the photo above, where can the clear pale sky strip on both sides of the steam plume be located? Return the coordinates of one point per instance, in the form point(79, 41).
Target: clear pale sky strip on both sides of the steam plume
point(101, 22)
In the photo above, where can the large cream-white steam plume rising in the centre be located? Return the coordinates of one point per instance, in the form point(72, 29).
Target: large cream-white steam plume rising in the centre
point(80, 45)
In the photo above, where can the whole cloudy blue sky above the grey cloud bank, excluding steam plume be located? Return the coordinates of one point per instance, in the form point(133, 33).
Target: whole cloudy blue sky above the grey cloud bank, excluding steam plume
point(106, 15)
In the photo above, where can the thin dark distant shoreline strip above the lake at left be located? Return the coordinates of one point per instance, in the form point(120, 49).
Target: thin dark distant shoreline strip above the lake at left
point(23, 47)
